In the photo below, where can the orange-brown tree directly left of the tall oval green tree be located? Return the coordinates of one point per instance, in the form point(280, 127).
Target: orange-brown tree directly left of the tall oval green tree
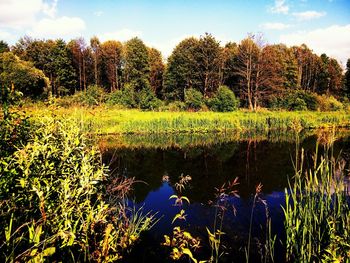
point(111, 62)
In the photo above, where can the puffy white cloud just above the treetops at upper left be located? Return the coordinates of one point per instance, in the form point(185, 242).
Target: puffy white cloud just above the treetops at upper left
point(57, 27)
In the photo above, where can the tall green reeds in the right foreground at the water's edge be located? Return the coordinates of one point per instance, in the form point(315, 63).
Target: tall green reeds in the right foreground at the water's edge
point(317, 209)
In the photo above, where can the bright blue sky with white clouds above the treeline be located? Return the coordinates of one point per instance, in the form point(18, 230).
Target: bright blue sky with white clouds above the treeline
point(323, 25)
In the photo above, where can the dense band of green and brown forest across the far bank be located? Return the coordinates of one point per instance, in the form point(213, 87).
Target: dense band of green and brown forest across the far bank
point(200, 71)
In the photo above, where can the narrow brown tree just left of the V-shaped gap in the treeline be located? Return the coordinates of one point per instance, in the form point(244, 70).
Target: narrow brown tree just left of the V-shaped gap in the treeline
point(156, 71)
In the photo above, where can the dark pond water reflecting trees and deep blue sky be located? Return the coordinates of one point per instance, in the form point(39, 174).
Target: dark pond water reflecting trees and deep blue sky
point(210, 165)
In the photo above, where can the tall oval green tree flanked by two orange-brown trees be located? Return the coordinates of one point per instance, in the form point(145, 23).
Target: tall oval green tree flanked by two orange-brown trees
point(136, 63)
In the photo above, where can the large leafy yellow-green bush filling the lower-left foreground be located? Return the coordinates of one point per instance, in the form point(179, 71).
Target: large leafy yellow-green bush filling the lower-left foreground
point(54, 205)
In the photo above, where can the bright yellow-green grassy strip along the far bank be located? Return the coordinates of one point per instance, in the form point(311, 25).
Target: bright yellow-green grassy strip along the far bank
point(106, 120)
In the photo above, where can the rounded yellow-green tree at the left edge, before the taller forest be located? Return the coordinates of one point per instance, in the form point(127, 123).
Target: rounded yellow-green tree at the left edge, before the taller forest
point(21, 75)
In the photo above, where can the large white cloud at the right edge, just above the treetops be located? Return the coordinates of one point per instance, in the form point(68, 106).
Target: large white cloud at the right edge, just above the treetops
point(333, 40)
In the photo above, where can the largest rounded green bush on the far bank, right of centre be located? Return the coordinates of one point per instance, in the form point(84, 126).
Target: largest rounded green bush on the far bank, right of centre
point(224, 100)
